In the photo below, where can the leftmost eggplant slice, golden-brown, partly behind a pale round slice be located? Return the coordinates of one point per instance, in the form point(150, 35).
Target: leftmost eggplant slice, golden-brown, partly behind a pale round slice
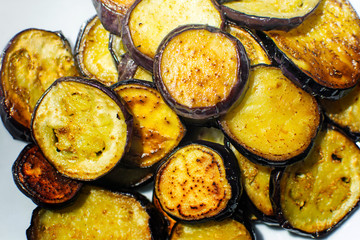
point(30, 63)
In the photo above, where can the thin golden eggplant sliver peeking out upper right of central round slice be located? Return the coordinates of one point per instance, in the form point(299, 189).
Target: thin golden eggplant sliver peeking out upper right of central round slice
point(253, 46)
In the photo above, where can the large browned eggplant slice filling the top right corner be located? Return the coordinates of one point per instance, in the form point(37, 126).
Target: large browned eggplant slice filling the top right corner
point(322, 55)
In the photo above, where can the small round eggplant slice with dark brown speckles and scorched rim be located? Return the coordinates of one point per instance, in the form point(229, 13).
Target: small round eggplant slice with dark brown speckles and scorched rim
point(198, 182)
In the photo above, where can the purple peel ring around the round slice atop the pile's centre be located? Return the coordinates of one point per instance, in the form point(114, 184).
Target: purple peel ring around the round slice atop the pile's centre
point(201, 114)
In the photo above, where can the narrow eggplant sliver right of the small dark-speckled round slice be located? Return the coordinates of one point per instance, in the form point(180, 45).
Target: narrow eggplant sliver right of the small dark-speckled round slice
point(256, 182)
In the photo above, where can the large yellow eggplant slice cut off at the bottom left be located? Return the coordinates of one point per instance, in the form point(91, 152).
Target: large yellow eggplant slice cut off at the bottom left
point(100, 214)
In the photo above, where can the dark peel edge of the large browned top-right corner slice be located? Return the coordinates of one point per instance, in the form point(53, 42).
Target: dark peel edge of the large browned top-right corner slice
point(300, 78)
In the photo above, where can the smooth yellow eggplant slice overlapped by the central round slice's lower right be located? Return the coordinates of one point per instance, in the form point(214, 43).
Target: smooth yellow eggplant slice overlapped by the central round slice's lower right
point(276, 122)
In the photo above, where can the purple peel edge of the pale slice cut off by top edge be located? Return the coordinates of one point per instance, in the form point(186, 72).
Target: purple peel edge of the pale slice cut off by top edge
point(262, 22)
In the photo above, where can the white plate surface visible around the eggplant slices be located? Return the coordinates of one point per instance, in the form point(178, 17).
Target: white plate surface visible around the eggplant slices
point(68, 16)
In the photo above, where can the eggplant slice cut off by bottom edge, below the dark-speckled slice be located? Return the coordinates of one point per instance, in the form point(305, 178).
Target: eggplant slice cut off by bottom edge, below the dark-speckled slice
point(226, 229)
